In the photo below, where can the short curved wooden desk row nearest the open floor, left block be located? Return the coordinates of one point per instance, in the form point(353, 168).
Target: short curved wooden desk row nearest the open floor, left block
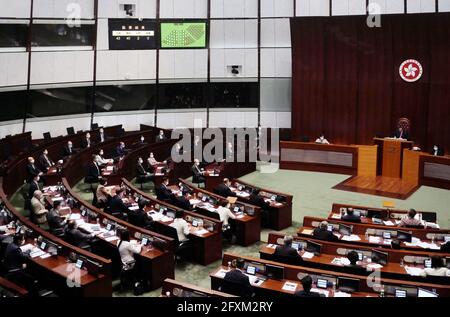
point(280, 214)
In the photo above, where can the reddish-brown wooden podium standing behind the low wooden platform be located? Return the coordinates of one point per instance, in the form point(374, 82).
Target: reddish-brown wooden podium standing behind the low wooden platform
point(390, 156)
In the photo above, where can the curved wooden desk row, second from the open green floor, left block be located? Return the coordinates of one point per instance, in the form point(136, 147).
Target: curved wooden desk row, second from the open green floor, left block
point(246, 228)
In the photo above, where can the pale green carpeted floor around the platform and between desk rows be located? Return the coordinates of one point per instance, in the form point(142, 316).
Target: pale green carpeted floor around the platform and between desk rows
point(313, 196)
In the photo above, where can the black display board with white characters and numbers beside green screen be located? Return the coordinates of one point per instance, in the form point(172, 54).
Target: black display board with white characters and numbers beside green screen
point(127, 34)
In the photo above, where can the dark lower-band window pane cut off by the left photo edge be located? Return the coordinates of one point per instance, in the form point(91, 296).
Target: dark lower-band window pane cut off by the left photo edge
point(12, 105)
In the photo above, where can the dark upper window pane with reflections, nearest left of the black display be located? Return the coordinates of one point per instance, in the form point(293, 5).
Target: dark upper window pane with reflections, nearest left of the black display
point(61, 35)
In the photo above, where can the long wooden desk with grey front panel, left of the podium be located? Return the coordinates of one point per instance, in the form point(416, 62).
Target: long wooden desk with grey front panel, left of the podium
point(339, 159)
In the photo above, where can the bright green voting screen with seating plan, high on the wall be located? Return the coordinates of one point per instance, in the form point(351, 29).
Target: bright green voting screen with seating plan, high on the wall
point(183, 35)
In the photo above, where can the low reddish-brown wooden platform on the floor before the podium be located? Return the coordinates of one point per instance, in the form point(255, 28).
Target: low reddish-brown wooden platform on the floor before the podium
point(379, 186)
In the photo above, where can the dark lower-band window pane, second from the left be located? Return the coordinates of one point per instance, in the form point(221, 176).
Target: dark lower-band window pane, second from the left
point(63, 101)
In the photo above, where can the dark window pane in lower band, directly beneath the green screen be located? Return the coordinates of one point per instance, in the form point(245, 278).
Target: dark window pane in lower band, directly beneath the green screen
point(181, 96)
